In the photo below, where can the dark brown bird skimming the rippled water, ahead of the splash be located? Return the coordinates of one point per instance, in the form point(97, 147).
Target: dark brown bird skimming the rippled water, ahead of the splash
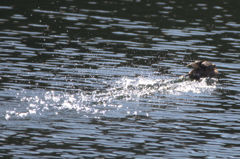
point(202, 69)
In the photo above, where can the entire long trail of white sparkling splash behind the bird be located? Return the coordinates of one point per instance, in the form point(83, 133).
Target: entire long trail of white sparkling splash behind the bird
point(113, 99)
